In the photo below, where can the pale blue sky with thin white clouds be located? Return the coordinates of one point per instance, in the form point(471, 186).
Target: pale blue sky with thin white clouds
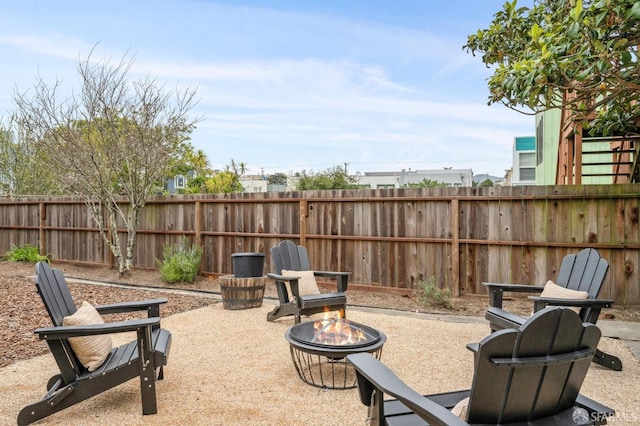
point(288, 85)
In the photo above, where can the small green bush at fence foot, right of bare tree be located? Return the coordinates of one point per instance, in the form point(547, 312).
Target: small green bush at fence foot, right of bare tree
point(181, 263)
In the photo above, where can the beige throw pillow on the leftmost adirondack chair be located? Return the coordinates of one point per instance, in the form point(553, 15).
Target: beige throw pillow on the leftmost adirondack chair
point(90, 350)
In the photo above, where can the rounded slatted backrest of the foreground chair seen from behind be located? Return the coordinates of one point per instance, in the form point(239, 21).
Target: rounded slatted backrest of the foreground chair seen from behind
point(523, 388)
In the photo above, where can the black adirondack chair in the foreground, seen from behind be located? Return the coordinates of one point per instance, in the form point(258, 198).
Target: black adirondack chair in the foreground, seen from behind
point(531, 376)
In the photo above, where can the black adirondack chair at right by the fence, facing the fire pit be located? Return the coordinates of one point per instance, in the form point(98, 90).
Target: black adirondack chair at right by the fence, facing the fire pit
point(584, 271)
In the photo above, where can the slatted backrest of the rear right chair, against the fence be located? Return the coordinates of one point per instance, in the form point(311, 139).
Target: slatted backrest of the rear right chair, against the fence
point(584, 271)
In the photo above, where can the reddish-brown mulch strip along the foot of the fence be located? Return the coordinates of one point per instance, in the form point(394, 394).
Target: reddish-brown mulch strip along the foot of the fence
point(22, 310)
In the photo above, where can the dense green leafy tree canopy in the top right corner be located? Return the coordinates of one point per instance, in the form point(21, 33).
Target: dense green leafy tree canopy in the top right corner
point(586, 48)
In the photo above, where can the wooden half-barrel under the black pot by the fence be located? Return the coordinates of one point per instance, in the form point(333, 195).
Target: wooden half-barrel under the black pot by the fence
point(242, 293)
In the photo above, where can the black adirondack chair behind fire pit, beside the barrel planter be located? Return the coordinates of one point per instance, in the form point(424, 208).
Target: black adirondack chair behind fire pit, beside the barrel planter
point(291, 257)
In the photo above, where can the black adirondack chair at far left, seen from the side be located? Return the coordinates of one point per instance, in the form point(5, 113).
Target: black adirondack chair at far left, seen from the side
point(141, 358)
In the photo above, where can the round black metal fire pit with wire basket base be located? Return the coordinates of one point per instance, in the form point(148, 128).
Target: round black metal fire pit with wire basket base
point(324, 365)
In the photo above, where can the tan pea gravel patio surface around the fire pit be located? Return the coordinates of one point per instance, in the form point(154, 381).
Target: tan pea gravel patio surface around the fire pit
point(234, 367)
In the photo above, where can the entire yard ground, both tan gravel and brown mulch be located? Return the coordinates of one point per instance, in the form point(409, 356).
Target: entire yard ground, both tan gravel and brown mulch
point(234, 367)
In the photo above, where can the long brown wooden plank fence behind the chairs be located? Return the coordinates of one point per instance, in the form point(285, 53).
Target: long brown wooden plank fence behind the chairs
point(388, 239)
